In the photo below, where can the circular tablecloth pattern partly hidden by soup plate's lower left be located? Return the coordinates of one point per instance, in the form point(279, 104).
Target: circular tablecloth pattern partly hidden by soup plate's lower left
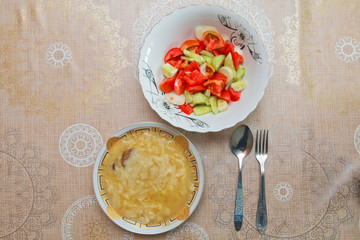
point(85, 220)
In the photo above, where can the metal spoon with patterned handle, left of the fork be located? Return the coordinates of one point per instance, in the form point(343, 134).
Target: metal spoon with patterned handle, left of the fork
point(241, 145)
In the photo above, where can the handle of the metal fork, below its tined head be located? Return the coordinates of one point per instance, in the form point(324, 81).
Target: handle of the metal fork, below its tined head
point(261, 215)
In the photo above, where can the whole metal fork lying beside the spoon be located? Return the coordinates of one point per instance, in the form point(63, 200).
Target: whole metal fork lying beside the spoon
point(261, 154)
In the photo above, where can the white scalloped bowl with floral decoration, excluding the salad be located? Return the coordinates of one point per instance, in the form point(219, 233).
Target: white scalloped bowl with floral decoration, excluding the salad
point(179, 26)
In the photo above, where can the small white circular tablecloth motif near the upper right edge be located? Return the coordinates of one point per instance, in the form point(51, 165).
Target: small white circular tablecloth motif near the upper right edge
point(347, 49)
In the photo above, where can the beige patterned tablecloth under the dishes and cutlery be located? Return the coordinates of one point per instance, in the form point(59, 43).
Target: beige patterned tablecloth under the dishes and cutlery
point(68, 81)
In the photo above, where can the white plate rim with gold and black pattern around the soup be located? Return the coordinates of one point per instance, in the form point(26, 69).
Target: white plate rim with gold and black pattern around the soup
point(193, 160)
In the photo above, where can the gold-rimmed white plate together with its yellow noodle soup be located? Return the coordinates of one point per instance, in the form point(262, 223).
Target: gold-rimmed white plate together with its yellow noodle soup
point(148, 178)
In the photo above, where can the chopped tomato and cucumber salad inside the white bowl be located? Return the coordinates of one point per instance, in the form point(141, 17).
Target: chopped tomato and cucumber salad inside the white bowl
point(204, 75)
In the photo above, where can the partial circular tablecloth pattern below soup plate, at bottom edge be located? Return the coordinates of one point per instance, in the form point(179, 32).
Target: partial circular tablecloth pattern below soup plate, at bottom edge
point(188, 230)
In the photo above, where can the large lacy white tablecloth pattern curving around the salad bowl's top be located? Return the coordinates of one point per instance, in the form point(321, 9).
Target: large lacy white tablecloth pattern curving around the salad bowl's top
point(152, 14)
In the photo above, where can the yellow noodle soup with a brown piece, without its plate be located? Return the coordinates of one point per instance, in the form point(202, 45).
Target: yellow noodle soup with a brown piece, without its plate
point(147, 177)
